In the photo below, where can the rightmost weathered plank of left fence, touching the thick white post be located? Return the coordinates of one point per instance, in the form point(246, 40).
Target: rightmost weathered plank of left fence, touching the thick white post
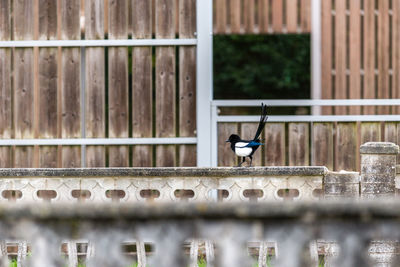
point(187, 82)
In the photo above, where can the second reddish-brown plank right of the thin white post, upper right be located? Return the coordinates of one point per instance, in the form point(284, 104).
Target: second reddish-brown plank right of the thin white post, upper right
point(340, 54)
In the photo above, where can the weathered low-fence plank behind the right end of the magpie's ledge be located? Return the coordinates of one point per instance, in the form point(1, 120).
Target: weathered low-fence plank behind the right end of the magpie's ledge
point(322, 146)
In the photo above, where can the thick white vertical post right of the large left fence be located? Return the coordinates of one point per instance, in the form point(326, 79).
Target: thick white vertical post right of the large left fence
point(204, 82)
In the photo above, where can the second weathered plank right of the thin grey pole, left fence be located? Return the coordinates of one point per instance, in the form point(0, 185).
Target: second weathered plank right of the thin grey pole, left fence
point(118, 96)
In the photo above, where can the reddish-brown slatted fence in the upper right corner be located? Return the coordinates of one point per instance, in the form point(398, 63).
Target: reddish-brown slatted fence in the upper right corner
point(361, 53)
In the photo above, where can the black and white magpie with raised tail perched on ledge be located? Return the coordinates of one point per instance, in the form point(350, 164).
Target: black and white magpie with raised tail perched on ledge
point(246, 148)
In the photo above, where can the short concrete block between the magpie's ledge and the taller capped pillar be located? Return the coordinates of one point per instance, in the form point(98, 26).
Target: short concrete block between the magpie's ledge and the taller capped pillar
point(338, 185)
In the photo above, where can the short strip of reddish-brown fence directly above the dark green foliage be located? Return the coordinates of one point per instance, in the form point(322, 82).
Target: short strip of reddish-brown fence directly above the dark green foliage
point(262, 16)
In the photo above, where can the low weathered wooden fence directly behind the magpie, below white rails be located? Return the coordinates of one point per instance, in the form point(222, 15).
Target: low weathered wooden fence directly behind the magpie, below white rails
point(331, 144)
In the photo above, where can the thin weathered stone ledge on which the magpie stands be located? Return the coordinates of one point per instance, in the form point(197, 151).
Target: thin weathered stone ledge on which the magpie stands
point(166, 172)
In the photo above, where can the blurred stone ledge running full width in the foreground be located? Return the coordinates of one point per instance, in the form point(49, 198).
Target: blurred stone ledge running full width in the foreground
point(311, 212)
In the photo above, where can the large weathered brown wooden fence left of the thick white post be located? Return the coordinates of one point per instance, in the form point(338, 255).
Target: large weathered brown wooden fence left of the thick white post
point(97, 92)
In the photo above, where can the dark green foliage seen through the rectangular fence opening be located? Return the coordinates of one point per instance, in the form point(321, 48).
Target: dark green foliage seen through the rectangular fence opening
point(261, 66)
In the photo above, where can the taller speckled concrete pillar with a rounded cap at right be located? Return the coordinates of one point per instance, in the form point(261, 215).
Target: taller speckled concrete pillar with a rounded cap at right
point(378, 169)
